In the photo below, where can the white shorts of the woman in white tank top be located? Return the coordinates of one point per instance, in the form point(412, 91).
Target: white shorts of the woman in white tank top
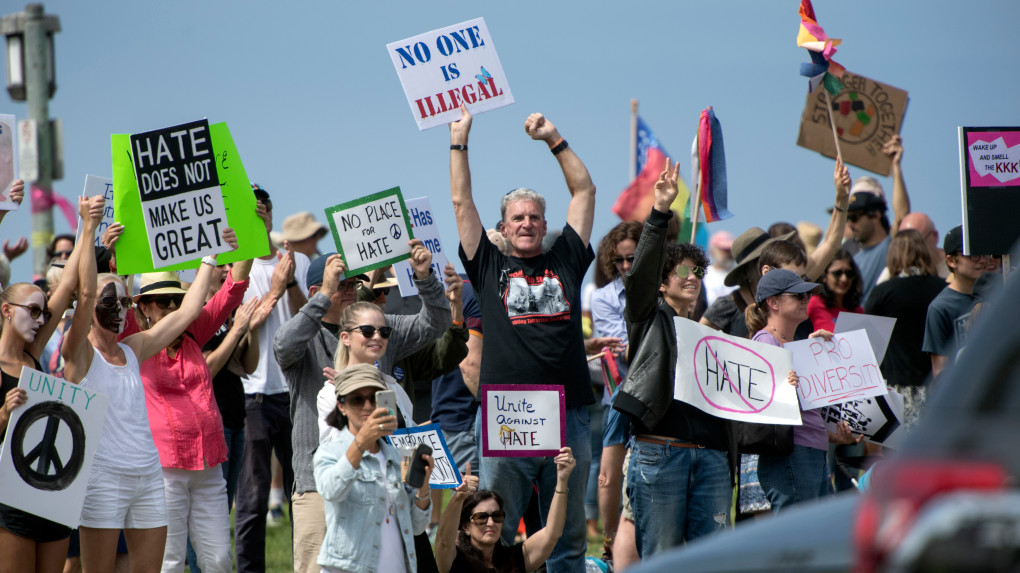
point(116, 501)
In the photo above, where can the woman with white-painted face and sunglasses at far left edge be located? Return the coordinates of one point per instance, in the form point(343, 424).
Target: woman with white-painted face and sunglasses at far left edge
point(29, 543)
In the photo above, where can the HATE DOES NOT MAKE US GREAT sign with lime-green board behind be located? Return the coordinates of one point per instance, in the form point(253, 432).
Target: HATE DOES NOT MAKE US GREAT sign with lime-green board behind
point(175, 190)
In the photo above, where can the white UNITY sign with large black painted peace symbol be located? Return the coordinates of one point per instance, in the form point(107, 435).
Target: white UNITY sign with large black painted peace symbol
point(50, 444)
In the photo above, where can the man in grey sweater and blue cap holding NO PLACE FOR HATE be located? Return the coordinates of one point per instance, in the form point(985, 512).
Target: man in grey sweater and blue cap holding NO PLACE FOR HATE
point(307, 344)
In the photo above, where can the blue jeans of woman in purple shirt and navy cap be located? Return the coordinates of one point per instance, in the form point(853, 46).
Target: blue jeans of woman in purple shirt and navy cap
point(791, 480)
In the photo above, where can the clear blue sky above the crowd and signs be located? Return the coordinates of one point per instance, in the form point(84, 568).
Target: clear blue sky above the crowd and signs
point(320, 118)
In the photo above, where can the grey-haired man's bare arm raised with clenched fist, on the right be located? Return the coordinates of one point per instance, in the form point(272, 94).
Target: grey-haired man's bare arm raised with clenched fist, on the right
point(581, 213)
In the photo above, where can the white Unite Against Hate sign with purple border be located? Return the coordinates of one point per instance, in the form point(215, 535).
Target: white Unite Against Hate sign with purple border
point(523, 421)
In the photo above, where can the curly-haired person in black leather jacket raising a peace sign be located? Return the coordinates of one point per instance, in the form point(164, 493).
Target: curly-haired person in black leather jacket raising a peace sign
point(679, 482)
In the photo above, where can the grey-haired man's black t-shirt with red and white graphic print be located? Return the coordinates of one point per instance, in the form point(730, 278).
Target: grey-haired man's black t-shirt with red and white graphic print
point(532, 311)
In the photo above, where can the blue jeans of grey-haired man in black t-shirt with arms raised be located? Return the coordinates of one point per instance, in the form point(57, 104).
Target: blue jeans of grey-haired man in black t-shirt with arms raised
point(513, 480)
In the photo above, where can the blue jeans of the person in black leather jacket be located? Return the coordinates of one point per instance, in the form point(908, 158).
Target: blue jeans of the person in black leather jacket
point(678, 495)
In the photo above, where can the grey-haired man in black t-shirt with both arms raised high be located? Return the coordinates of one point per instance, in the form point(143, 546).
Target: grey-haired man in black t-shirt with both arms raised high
point(531, 307)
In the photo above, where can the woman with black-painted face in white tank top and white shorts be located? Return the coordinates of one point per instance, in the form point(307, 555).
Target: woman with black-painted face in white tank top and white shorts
point(126, 489)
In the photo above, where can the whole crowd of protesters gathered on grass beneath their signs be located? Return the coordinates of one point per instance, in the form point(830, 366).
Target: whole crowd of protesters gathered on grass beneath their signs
point(281, 358)
